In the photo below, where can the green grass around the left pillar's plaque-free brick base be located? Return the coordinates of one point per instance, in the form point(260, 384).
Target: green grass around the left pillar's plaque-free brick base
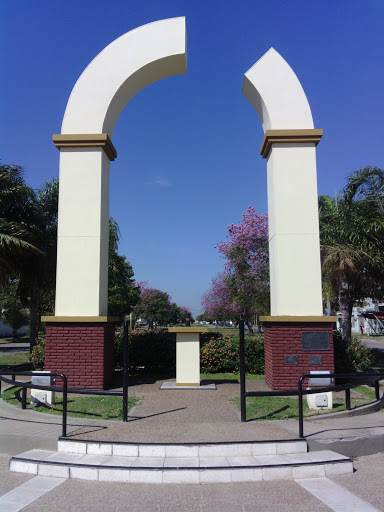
point(93, 407)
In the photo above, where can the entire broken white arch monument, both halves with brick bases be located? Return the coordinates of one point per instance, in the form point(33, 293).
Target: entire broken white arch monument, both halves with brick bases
point(80, 335)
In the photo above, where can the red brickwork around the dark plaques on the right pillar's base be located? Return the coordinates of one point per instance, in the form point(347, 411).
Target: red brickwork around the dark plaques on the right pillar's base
point(284, 339)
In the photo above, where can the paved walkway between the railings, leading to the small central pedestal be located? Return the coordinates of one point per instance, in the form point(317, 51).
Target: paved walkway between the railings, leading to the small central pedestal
point(177, 416)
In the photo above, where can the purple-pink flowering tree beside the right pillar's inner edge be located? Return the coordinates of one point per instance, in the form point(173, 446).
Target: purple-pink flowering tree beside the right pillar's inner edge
point(242, 290)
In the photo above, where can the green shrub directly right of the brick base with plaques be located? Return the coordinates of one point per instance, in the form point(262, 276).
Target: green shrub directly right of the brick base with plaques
point(350, 355)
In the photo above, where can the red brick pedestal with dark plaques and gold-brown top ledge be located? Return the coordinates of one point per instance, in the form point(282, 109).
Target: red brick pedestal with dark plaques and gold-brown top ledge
point(295, 346)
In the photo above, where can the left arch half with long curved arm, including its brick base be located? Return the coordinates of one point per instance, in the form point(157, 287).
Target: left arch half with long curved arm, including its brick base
point(130, 63)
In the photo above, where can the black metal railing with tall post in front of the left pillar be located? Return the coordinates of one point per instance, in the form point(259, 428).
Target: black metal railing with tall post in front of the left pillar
point(10, 371)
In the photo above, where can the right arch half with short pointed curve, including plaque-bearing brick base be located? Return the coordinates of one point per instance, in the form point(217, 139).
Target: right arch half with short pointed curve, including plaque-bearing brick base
point(289, 145)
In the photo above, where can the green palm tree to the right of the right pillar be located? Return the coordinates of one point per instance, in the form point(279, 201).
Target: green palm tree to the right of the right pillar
point(352, 240)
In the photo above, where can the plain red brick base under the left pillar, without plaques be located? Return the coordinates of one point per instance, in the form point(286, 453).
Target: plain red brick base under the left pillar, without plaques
point(82, 351)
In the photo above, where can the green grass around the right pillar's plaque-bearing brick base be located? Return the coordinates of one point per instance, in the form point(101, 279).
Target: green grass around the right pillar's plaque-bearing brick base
point(282, 408)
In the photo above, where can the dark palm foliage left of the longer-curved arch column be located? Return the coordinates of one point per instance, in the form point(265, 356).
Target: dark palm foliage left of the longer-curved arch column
point(28, 234)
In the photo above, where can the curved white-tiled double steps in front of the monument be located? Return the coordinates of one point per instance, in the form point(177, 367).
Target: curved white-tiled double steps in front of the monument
point(156, 464)
